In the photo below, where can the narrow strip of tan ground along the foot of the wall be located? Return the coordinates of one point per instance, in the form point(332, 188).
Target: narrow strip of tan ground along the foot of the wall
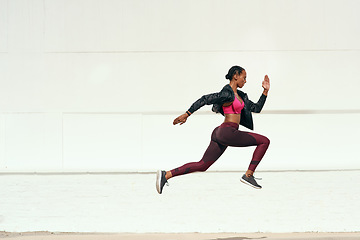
point(181, 236)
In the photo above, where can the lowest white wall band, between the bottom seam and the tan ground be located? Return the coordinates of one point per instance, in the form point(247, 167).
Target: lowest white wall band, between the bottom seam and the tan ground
point(211, 202)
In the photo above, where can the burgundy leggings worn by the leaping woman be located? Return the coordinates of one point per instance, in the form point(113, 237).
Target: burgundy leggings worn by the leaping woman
point(227, 134)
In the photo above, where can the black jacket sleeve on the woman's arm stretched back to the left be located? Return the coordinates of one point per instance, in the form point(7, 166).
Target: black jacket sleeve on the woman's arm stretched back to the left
point(219, 97)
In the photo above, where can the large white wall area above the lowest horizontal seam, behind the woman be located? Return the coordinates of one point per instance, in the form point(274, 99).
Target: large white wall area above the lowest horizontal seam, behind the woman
point(94, 85)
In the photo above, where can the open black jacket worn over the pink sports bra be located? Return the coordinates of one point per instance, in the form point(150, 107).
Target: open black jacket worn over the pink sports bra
point(227, 95)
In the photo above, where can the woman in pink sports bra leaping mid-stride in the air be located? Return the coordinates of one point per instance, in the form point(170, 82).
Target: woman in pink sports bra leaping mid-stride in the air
point(236, 107)
